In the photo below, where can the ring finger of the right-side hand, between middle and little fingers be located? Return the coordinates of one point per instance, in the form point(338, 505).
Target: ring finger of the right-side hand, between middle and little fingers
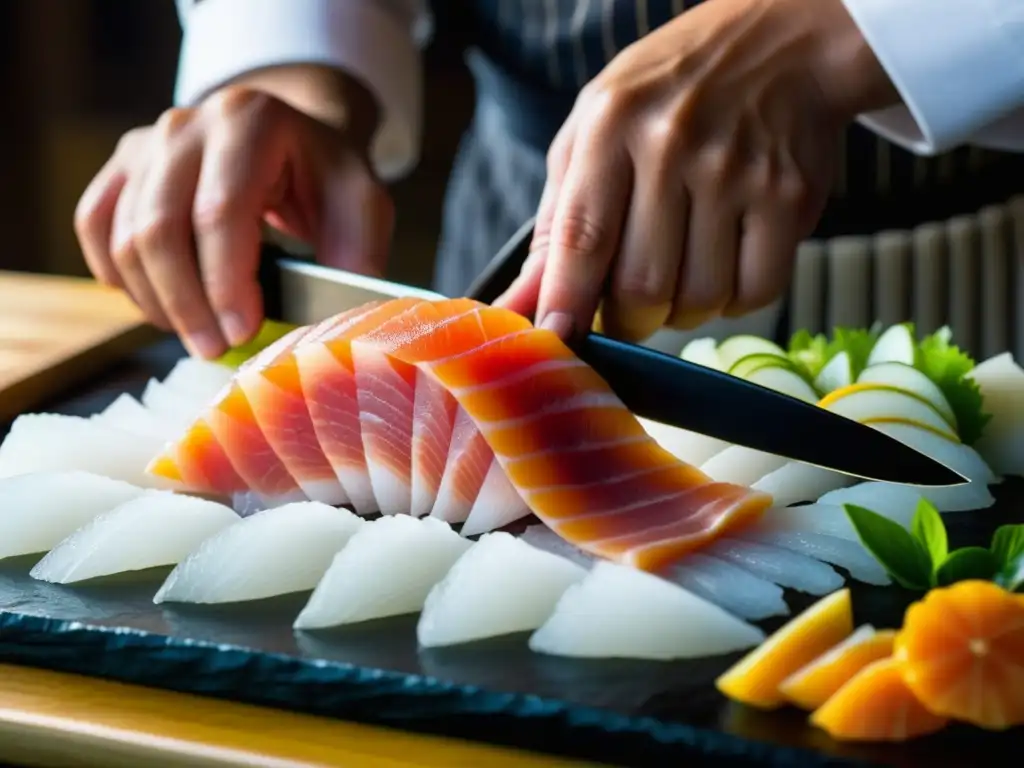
point(708, 275)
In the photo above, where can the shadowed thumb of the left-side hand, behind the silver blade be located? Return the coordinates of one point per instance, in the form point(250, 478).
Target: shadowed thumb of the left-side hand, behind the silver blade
point(357, 221)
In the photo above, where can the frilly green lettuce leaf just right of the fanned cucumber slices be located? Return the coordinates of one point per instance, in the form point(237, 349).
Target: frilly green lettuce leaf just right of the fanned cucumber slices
point(949, 367)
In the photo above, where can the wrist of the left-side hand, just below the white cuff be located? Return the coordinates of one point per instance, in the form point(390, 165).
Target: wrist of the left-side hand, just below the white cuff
point(329, 96)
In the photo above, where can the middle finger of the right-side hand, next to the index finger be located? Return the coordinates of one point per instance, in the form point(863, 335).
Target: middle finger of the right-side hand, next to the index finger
point(645, 274)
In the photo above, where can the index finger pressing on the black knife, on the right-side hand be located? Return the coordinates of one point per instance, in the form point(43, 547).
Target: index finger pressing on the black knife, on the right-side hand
point(585, 233)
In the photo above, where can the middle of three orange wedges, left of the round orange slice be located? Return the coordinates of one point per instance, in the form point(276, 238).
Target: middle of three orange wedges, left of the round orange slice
point(812, 687)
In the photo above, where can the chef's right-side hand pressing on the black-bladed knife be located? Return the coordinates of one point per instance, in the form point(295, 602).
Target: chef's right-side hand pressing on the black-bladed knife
point(693, 166)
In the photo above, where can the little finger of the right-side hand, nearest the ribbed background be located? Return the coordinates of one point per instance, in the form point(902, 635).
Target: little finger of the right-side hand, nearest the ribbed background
point(766, 258)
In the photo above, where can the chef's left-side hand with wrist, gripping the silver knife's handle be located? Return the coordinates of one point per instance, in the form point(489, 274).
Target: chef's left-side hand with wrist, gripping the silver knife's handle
point(176, 217)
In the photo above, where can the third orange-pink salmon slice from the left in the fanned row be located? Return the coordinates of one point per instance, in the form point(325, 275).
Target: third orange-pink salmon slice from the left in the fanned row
point(273, 388)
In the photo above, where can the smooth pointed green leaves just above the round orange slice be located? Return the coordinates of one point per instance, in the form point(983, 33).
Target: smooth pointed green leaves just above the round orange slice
point(920, 559)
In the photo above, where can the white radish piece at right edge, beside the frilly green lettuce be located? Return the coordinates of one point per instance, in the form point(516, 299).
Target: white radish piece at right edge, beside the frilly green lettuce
point(1002, 385)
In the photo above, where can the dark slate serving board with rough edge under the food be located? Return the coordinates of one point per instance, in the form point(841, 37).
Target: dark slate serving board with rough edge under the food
point(626, 713)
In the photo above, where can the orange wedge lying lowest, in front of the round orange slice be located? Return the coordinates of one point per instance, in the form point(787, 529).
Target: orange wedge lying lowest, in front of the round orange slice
point(876, 706)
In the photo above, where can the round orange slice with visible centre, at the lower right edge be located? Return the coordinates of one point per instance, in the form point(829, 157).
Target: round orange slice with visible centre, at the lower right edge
point(963, 654)
